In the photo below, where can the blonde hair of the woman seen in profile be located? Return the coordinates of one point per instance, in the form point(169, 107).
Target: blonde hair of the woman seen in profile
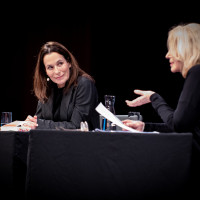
point(184, 45)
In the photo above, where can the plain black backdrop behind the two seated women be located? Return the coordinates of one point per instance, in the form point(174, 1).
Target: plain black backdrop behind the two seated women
point(122, 46)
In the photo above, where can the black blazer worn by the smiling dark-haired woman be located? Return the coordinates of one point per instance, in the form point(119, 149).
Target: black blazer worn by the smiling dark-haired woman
point(76, 106)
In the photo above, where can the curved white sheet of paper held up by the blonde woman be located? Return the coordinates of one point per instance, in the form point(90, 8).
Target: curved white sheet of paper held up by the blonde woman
point(101, 109)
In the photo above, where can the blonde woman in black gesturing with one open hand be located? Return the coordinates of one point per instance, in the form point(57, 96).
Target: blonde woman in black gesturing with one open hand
point(184, 57)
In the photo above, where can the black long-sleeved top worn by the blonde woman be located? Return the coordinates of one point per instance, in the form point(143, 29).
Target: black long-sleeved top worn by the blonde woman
point(186, 117)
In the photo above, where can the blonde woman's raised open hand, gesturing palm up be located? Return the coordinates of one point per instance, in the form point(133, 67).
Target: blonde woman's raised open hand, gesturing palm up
point(143, 99)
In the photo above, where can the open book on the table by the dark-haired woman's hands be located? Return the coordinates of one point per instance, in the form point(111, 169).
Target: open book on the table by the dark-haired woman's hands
point(15, 126)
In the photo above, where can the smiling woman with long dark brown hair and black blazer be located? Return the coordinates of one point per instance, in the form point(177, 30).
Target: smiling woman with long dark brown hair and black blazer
point(67, 95)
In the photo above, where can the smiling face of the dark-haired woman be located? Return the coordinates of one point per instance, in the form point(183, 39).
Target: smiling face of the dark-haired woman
point(57, 68)
